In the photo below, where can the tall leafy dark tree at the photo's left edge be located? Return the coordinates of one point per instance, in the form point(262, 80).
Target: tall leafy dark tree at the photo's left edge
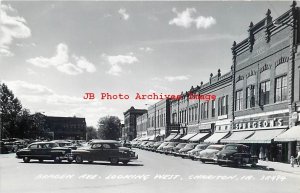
point(10, 110)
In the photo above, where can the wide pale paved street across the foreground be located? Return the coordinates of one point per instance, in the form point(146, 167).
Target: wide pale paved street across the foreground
point(152, 172)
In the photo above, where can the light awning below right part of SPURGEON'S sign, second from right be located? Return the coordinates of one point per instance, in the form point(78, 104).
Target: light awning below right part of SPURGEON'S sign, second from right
point(264, 136)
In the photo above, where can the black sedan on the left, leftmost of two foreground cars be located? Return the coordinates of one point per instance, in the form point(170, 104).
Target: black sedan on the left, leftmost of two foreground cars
point(45, 151)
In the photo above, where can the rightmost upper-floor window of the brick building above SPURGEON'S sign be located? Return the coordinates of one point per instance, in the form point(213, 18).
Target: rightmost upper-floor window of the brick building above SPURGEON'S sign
point(281, 90)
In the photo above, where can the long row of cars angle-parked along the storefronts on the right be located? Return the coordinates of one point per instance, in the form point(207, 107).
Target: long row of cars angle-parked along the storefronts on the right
point(230, 154)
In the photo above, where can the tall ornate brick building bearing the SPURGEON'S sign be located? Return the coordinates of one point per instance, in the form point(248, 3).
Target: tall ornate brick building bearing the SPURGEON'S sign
point(266, 85)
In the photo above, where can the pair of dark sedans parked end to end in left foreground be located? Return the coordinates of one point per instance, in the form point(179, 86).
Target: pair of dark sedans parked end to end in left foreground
point(96, 150)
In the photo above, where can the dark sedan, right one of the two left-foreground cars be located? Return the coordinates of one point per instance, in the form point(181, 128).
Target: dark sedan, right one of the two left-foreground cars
point(104, 150)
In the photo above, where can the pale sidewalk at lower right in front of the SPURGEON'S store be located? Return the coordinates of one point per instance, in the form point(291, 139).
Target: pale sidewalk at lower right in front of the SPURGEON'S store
point(277, 166)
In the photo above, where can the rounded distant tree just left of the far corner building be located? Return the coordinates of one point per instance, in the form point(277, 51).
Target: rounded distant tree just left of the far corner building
point(109, 127)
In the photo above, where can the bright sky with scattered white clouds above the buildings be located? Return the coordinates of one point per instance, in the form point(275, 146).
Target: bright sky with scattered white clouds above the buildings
point(52, 52)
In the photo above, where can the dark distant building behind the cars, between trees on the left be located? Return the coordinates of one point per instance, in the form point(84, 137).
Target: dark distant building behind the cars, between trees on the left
point(66, 127)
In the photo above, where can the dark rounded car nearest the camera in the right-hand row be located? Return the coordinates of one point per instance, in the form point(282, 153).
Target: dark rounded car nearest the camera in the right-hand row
point(236, 155)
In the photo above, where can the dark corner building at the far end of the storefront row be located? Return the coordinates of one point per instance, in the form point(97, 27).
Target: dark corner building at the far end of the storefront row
point(130, 123)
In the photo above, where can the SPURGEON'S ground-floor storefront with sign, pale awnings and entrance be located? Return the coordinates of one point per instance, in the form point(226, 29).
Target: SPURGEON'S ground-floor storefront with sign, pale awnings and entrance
point(259, 134)
